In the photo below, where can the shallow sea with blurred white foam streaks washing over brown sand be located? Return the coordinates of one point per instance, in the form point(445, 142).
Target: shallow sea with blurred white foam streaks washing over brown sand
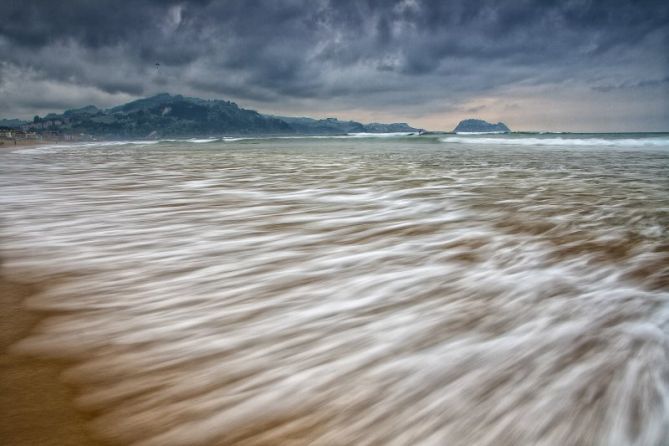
point(336, 292)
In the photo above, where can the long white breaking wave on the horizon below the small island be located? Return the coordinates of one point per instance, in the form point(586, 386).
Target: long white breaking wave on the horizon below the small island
point(593, 142)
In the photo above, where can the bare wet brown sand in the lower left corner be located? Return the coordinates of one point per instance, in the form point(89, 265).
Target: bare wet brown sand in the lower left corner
point(36, 406)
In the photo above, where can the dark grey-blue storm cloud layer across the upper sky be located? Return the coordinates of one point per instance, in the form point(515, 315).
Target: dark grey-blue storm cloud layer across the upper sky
point(369, 54)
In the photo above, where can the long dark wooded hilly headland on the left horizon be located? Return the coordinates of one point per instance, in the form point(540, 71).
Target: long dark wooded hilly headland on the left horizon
point(166, 115)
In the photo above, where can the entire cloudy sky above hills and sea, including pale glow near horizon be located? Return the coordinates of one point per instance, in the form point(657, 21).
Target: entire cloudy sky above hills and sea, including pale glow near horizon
point(569, 65)
